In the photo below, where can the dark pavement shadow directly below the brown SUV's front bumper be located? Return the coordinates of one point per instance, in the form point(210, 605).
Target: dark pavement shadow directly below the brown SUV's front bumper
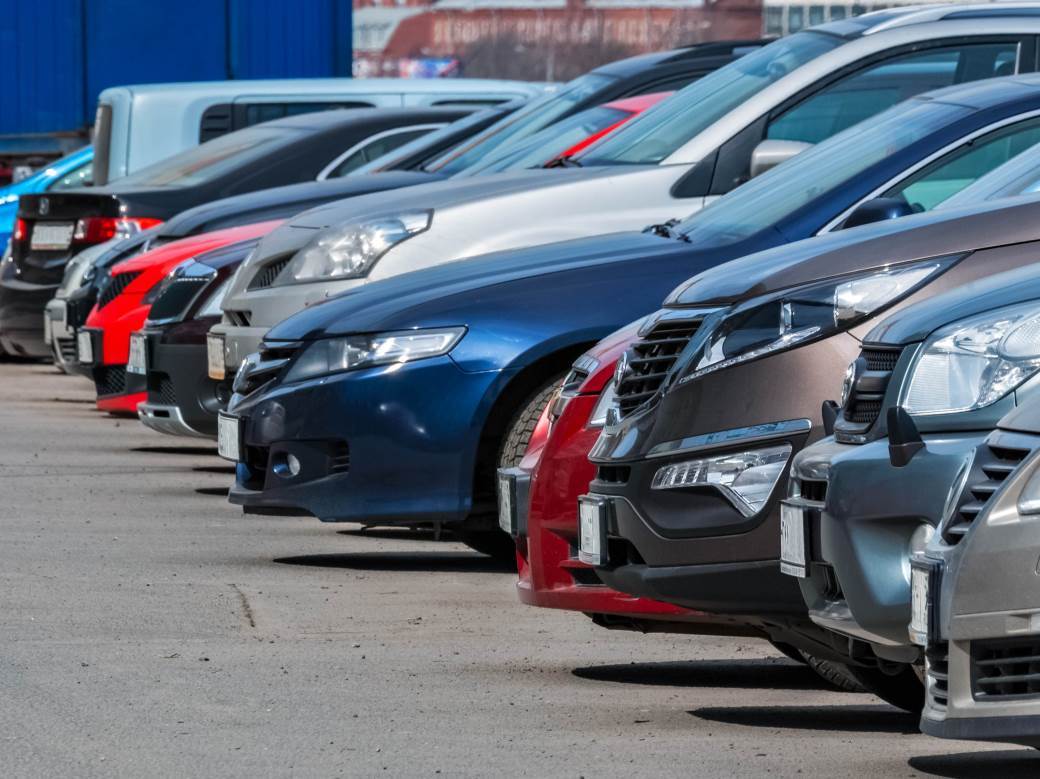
point(739, 674)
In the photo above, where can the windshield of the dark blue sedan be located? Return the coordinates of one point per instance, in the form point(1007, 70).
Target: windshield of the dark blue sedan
point(777, 194)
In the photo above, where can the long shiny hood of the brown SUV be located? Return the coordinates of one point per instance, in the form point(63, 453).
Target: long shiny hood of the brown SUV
point(920, 237)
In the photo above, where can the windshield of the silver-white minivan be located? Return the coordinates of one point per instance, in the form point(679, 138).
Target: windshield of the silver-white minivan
point(666, 128)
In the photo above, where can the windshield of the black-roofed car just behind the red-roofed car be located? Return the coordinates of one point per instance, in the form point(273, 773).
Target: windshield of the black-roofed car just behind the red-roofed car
point(531, 119)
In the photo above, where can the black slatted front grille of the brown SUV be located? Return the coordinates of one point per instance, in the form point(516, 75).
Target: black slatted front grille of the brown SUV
point(651, 359)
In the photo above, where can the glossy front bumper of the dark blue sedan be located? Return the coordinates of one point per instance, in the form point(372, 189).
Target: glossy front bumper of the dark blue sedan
point(387, 446)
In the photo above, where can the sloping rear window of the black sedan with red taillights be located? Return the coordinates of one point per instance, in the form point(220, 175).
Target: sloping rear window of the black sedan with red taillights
point(209, 161)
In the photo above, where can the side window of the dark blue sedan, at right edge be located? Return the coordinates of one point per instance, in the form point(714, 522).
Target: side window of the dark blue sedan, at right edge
point(949, 175)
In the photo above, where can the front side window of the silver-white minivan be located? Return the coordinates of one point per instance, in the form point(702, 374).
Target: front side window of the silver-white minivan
point(873, 90)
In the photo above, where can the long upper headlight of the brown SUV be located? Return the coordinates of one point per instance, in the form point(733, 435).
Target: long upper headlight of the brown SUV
point(793, 317)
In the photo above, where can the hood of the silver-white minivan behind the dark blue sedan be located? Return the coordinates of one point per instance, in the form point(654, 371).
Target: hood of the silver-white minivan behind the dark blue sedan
point(456, 193)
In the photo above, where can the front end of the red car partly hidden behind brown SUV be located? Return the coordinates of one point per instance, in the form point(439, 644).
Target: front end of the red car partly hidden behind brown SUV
point(559, 471)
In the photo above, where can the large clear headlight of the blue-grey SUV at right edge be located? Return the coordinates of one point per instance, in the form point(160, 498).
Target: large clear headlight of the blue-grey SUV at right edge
point(974, 363)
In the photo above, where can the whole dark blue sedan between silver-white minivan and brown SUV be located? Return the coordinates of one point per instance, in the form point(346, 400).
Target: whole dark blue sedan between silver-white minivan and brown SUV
point(398, 402)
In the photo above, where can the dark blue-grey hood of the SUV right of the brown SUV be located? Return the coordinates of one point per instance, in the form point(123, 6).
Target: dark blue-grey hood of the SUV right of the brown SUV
point(918, 322)
